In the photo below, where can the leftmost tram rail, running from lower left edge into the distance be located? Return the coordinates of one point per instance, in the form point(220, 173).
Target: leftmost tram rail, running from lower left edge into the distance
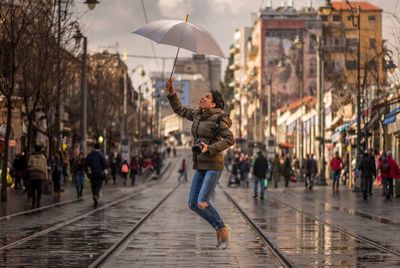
point(82, 216)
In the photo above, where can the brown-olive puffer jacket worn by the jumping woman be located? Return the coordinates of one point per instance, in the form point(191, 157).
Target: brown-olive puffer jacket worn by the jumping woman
point(203, 128)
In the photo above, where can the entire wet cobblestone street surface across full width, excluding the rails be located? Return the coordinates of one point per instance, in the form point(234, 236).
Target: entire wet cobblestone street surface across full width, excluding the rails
point(311, 228)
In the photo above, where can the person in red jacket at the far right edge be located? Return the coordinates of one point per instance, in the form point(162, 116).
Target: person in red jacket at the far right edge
point(389, 171)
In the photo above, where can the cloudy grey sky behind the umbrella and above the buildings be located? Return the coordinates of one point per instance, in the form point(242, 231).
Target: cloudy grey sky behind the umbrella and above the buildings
point(110, 25)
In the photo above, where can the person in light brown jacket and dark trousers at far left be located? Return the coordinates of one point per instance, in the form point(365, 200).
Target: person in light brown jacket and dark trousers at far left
point(37, 169)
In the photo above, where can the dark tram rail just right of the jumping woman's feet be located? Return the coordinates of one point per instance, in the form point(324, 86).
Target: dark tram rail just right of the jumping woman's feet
point(273, 248)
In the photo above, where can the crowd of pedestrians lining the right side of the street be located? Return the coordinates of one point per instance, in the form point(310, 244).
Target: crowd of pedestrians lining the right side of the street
point(373, 167)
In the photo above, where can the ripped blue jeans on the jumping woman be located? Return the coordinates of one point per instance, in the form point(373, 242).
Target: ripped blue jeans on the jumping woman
point(203, 185)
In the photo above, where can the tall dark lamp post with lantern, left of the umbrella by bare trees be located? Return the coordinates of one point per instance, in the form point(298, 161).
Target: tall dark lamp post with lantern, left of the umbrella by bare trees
point(78, 36)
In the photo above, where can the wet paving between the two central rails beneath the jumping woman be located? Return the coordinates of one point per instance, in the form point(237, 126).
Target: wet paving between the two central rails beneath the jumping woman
point(184, 240)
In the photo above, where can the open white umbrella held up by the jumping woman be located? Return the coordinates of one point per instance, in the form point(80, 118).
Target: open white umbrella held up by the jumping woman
point(181, 34)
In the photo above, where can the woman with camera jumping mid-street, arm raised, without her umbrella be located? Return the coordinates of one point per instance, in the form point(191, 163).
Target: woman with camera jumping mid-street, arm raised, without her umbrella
point(212, 136)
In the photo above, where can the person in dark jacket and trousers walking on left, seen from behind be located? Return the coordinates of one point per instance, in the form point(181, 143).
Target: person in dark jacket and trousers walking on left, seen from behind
point(96, 168)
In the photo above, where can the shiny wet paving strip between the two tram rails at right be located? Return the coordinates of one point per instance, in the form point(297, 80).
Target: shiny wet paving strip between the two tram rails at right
point(308, 242)
